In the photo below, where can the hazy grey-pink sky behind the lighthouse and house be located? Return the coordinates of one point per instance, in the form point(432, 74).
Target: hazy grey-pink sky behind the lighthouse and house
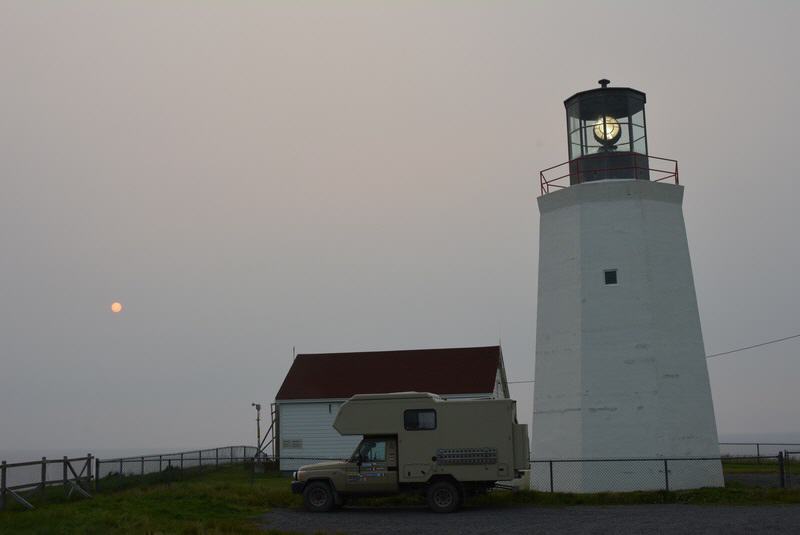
point(249, 177)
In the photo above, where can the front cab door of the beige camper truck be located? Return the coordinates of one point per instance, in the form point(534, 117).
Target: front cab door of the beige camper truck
point(377, 473)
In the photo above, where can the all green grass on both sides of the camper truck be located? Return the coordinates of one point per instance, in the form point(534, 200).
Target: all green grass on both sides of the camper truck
point(230, 499)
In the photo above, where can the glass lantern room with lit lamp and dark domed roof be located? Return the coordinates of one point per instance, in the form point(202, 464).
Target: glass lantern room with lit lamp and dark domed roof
point(607, 134)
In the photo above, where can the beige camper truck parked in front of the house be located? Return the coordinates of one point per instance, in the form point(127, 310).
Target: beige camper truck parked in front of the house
point(419, 442)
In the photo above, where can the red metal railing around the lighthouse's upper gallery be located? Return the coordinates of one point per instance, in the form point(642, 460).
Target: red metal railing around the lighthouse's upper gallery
point(569, 173)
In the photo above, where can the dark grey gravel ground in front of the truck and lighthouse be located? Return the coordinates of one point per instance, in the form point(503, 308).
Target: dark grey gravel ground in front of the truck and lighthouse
point(542, 520)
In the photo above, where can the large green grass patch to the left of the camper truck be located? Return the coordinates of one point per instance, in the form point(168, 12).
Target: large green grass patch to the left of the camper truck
point(213, 501)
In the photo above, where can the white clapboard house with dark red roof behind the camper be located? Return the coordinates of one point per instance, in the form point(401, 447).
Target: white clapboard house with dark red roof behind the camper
point(318, 384)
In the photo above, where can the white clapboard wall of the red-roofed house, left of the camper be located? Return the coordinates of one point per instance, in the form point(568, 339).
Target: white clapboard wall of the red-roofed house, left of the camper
point(307, 434)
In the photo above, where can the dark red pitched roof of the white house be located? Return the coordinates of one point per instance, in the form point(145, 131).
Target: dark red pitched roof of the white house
point(465, 370)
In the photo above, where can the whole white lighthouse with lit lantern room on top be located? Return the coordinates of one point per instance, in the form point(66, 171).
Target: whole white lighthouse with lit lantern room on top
point(620, 363)
